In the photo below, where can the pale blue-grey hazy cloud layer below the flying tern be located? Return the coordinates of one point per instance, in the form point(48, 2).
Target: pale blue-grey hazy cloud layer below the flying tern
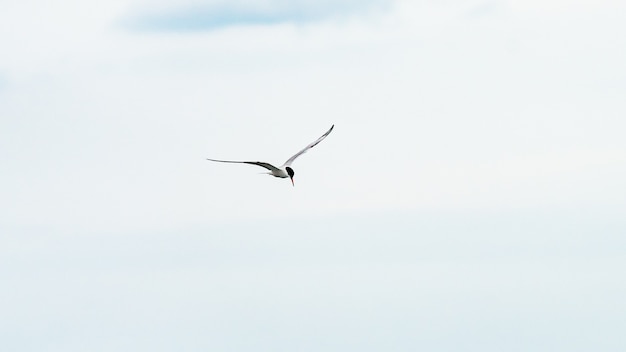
point(438, 282)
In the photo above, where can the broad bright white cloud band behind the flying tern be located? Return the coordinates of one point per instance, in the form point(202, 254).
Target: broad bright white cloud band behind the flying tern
point(433, 109)
